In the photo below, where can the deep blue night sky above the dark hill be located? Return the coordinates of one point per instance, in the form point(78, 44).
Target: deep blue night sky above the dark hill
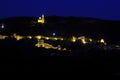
point(105, 9)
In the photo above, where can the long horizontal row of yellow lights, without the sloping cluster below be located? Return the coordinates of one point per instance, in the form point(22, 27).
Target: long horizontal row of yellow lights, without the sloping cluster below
point(83, 39)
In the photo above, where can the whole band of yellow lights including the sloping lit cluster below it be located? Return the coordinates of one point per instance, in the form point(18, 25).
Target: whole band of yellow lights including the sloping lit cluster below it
point(73, 39)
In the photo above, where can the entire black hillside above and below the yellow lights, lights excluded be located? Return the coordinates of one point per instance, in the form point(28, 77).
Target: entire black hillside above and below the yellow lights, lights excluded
point(24, 56)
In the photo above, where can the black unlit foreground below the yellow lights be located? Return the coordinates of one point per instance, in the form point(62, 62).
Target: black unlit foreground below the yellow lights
point(16, 57)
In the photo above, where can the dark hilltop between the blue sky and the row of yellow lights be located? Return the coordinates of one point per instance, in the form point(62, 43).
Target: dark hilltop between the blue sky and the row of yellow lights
point(63, 26)
